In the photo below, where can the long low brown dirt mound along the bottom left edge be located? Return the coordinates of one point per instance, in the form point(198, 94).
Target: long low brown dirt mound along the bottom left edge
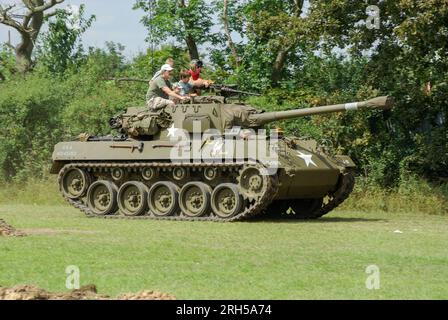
point(85, 293)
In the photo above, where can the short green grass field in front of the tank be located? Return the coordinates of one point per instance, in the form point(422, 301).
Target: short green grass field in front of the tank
point(323, 259)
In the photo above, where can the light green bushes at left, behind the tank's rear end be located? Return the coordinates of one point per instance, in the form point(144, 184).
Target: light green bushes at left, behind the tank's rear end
point(39, 110)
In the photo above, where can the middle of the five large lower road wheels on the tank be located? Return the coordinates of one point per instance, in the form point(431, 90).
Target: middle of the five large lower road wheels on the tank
point(163, 199)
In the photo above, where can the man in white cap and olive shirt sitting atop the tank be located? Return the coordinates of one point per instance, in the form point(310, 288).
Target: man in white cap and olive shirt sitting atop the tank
point(160, 90)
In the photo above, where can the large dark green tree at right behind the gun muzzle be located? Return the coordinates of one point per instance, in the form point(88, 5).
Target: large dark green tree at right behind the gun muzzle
point(406, 46)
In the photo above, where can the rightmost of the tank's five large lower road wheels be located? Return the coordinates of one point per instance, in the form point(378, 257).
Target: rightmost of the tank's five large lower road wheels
point(226, 200)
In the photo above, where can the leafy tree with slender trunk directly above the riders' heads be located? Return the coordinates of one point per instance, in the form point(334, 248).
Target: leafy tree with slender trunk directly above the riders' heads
point(187, 21)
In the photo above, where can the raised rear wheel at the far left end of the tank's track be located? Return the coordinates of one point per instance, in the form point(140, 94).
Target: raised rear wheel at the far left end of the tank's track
point(75, 183)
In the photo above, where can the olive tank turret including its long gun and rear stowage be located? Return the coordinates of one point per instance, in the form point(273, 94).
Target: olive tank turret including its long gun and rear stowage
point(139, 122)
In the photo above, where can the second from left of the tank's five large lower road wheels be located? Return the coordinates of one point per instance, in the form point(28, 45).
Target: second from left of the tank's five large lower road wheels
point(132, 198)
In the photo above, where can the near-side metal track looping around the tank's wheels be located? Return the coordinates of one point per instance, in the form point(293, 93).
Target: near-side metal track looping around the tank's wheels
point(252, 208)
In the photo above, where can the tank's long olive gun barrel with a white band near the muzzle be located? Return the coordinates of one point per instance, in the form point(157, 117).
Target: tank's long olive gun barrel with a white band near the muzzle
point(383, 103)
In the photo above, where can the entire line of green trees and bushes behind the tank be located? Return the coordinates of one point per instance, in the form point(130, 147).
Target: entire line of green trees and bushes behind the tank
point(297, 53)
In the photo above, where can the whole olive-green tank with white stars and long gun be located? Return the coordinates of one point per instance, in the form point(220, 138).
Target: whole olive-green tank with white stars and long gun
point(205, 160)
